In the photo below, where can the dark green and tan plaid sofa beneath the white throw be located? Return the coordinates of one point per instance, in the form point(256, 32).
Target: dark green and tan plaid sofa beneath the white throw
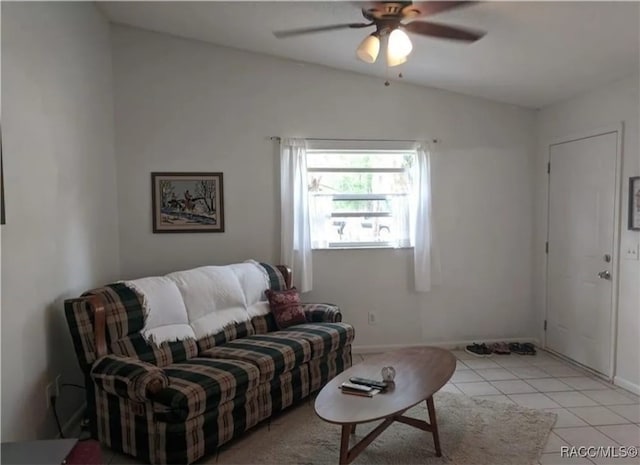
point(178, 401)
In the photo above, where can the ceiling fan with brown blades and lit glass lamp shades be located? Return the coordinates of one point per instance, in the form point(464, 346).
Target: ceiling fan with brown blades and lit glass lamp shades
point(389, 20)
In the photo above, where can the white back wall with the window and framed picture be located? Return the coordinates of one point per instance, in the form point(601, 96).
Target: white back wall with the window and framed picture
point(188, 106)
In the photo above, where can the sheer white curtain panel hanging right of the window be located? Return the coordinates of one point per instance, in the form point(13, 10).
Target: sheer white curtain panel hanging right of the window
point(425, 262)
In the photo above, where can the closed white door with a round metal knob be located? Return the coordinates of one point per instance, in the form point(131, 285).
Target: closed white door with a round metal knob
point(581, 258)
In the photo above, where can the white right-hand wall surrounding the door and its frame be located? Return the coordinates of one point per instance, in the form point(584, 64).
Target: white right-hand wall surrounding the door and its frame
point(609, 105)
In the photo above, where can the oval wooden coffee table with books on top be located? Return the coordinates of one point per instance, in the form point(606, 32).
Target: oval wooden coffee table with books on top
point(420, 373)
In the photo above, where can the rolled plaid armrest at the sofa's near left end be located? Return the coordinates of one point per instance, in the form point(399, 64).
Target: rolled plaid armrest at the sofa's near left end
point(128, 377)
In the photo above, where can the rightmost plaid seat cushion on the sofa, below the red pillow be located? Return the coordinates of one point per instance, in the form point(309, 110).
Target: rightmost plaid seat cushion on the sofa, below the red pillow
point(323, 337)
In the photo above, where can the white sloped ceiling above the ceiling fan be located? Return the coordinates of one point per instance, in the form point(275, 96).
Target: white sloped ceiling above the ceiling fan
point(534, 53)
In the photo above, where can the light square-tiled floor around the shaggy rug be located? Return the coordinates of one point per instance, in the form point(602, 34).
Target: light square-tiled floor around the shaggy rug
point(591, 412)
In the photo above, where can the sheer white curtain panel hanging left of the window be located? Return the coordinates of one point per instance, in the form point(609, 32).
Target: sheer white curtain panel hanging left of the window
point(295, 226)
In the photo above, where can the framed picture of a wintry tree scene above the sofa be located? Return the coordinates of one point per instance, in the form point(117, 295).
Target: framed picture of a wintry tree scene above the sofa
point(187, 202)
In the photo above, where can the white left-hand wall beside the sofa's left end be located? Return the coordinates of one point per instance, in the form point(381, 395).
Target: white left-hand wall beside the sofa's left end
point(61, 236)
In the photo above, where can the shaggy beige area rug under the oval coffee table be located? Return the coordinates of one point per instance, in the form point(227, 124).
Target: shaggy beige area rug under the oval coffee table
point(472, 431)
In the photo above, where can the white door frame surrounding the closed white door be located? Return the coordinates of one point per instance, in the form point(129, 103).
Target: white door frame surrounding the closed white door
point(617, 228)
